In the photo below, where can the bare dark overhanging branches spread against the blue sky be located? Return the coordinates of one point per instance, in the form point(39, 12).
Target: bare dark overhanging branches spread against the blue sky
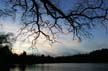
point(39, 14)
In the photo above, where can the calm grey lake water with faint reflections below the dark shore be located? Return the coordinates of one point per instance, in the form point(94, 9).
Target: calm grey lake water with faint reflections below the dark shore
point(58, 67)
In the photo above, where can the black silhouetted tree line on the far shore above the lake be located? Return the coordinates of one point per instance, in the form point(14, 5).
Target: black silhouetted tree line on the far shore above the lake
point(7, 57)
